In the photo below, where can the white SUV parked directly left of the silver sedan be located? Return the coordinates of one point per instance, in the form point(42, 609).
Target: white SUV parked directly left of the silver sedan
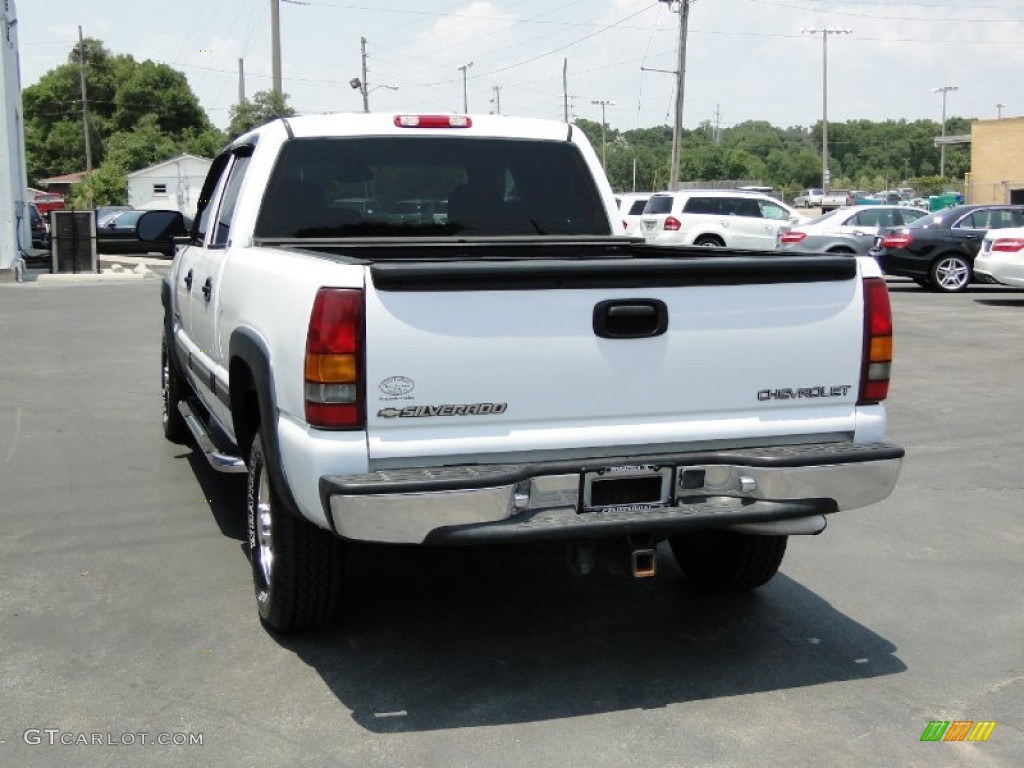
point(723, 219)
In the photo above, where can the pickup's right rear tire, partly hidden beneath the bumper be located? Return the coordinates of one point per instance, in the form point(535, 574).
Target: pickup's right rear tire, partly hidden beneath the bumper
point(727, 562)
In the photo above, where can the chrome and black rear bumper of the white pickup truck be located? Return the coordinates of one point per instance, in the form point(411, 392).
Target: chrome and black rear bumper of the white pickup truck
point(638, 495)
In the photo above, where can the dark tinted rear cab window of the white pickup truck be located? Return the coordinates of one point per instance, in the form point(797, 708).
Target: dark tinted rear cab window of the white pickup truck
point(326, 188)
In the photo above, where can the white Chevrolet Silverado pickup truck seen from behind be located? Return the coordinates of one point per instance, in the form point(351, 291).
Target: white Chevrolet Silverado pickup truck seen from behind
point(426, 330)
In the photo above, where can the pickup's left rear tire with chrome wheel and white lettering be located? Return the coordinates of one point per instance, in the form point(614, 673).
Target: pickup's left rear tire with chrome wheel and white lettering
point(298, 569)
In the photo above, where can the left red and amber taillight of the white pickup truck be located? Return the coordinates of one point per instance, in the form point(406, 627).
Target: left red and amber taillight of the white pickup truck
point(335, 386)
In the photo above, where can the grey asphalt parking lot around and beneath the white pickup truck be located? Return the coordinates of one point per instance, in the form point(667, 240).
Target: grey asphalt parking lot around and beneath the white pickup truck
point(126, 608)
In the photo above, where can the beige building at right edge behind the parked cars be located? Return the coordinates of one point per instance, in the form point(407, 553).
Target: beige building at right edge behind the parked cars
point(997, 161)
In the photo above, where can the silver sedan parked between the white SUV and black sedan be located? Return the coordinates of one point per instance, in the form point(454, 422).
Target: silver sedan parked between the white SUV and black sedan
point(850, 230)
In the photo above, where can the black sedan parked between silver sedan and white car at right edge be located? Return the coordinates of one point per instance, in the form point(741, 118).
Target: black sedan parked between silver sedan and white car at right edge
point(937, 251)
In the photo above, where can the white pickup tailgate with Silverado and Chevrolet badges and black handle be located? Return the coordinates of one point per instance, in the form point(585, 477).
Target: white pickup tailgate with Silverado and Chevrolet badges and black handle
point(518, 360)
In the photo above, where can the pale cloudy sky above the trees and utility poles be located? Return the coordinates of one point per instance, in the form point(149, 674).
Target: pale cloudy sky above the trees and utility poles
point(747, 60)
